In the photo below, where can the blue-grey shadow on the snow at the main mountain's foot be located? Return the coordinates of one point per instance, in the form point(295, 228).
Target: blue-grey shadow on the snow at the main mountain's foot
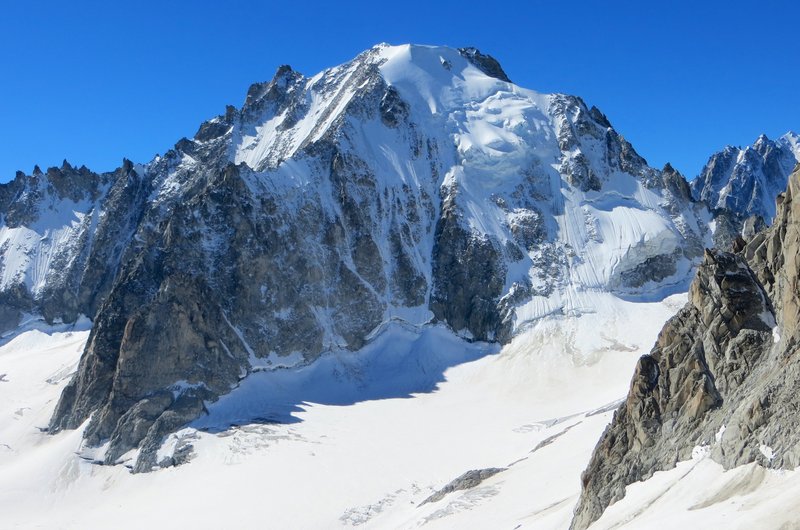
point(398, 363)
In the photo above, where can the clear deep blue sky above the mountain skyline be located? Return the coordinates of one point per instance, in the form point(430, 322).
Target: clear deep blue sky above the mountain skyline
point(94, 82)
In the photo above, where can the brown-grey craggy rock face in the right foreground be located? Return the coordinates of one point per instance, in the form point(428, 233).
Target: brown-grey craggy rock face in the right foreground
point(723, 373)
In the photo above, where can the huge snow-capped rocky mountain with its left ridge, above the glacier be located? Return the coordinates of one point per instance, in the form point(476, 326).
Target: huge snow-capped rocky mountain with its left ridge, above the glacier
point(411, 188)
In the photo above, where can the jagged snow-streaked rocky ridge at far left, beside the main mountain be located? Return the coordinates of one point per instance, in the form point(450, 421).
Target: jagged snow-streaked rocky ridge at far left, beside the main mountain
point(57, 252)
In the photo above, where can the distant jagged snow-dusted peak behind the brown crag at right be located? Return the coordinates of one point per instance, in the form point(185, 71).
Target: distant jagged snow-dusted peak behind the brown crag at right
point(740, 185)
